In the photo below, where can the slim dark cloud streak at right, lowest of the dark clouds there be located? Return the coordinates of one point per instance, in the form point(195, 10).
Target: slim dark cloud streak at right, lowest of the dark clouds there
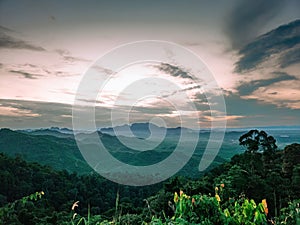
point(247, 88)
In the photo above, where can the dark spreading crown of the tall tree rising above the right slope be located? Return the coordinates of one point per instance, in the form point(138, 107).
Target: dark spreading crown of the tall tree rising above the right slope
point(256, 140)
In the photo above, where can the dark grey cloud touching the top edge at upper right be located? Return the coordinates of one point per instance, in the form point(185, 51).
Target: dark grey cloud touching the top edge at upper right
point(247, 17)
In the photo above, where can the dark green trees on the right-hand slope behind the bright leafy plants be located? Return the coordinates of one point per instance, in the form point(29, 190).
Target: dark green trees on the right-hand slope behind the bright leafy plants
point(255, 175)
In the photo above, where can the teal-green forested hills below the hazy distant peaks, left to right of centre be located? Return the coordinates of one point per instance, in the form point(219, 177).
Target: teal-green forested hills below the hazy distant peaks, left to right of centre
point(59, 150)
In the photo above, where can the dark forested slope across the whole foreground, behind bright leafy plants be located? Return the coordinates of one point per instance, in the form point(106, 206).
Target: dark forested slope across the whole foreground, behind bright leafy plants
point(274, 177)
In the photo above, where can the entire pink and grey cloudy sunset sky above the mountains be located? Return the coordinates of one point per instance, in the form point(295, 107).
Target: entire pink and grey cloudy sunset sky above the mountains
point(252, 49)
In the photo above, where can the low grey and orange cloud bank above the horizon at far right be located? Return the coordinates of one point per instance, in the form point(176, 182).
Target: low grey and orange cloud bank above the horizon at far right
point(258, 112)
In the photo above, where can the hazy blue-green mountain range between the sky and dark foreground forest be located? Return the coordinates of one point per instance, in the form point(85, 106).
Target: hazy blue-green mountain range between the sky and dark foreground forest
point(57, 147)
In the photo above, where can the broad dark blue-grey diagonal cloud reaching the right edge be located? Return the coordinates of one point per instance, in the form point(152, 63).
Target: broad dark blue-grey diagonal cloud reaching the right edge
point(283, 42)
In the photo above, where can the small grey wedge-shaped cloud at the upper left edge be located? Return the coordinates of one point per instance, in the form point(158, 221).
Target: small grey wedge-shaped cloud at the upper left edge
point(7, 41)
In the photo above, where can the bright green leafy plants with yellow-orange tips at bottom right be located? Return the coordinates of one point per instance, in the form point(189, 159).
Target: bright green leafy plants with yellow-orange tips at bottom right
point(212, 210)
